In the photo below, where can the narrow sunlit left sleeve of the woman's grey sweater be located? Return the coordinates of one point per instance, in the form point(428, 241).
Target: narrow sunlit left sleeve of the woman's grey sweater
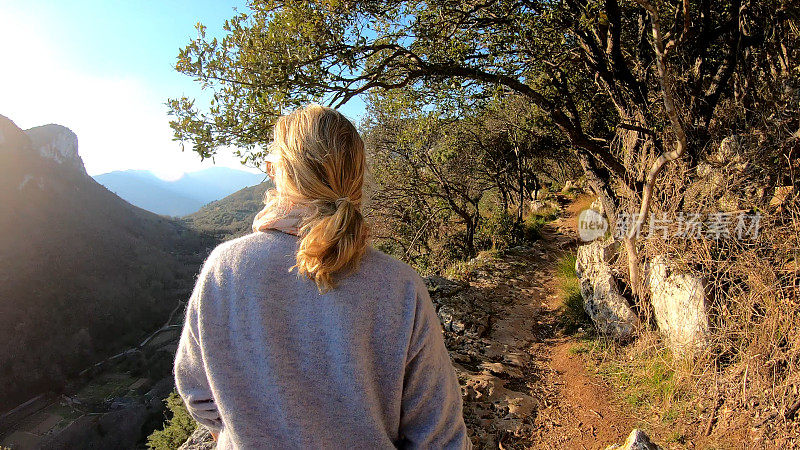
point(191, 380)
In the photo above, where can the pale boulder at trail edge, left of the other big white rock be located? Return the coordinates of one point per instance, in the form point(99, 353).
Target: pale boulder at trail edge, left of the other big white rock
point(602, 300)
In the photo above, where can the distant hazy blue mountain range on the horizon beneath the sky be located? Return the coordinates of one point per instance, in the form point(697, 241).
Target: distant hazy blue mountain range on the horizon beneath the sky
point(180, 197)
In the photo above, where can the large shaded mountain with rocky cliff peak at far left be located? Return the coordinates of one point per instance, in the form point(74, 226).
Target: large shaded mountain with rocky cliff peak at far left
point(83, 273)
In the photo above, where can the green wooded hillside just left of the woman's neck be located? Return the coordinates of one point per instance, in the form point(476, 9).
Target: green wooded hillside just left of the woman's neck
point(232, 216)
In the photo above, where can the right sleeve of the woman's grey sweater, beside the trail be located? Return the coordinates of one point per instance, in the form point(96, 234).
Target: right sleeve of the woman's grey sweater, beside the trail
point(432, 410)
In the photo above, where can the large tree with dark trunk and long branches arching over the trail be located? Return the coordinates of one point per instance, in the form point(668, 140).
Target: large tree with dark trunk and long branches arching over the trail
point(590, 66)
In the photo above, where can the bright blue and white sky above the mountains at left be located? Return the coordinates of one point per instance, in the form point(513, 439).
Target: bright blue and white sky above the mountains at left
point(104, 69)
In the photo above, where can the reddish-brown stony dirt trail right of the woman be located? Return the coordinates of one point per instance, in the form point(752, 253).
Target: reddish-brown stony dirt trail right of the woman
point(523, 387)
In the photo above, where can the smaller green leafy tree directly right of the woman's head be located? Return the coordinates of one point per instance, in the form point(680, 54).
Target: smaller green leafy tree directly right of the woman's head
point(426, 176)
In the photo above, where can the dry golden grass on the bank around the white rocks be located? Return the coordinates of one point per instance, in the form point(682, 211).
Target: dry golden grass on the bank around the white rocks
point(752, 363)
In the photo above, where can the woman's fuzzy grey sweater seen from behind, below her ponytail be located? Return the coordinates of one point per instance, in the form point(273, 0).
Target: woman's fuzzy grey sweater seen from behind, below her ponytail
point(270, 362)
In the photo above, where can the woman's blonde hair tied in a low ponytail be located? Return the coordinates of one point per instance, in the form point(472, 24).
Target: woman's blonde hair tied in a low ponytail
point(320, 159)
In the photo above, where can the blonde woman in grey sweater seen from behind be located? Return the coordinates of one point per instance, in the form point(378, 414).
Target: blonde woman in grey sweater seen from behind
point(347, 352)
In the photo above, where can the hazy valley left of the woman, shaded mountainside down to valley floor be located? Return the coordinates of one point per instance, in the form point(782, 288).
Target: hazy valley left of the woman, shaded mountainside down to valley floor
point(86, 277)
